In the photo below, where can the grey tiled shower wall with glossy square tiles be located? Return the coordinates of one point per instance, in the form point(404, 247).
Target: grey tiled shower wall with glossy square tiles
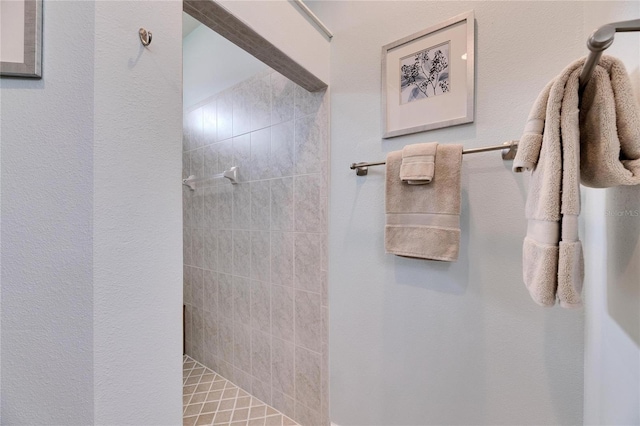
point(255, 268)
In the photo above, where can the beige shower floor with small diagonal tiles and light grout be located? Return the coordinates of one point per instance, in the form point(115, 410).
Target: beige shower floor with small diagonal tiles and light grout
point(210, 399)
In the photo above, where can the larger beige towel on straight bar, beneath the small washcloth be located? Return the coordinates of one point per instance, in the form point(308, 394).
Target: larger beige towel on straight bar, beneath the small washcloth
point(423, 221)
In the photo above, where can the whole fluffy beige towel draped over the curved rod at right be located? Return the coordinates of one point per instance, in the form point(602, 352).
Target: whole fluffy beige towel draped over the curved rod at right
point(567, 139)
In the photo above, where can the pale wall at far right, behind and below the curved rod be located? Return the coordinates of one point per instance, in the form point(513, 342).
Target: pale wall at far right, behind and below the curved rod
point(612, 254)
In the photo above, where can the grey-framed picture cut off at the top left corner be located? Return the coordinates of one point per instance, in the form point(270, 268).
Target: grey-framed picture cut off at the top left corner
point(21, 38)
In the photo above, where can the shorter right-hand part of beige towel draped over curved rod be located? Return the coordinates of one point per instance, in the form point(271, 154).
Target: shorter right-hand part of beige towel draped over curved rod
point(609, 128)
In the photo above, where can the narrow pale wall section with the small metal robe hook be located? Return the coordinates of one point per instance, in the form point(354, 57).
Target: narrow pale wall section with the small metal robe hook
point(138, 215)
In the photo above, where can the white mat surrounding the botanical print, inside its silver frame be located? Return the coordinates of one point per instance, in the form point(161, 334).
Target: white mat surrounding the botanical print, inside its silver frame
point(444, 107)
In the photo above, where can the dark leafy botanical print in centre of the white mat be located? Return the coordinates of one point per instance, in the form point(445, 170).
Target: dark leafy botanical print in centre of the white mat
point(425, 74)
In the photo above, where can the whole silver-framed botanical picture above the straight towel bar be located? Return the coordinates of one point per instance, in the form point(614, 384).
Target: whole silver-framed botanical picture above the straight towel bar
point(428, 78)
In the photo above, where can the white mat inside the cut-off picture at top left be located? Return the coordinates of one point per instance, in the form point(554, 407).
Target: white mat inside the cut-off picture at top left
point(12, 31)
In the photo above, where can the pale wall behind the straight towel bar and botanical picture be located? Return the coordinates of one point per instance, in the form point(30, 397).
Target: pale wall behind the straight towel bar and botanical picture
point(419, 342)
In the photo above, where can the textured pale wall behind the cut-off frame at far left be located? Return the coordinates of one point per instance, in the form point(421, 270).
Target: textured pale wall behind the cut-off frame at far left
point(46, 139)
